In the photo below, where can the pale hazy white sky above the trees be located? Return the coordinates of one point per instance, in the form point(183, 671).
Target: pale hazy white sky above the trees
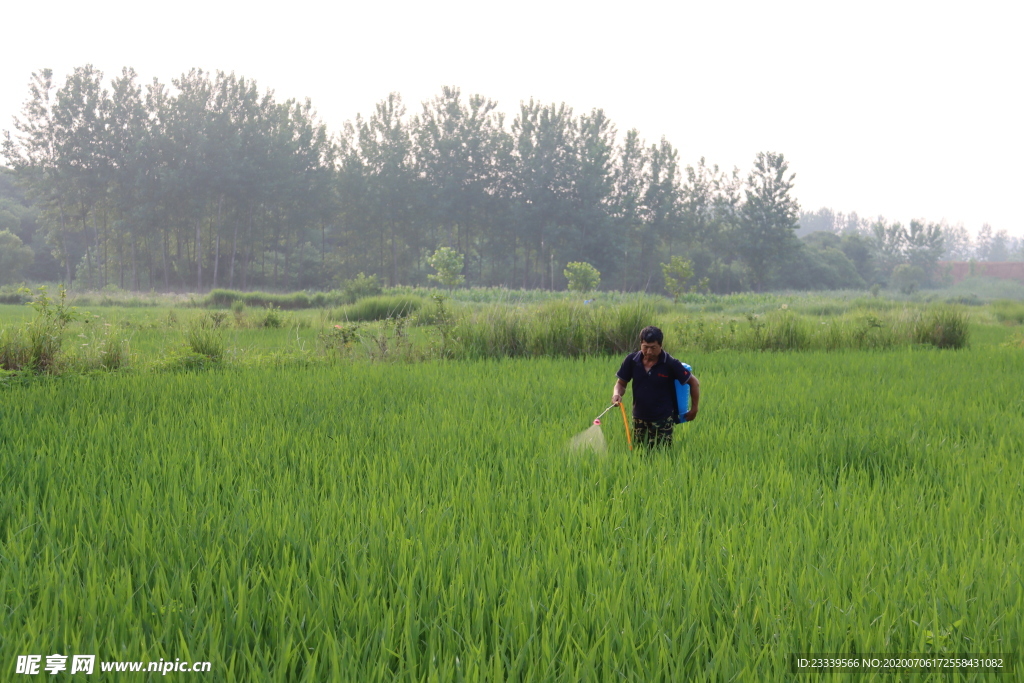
point(902, 109)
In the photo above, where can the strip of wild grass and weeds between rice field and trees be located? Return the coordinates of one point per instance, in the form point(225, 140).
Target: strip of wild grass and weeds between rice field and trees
point(68, 335)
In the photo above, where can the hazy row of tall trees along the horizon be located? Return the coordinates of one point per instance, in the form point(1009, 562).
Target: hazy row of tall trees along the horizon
point(209, 182)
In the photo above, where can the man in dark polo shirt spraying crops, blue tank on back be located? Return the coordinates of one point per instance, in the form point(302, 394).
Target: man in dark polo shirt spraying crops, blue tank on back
point(654, 372)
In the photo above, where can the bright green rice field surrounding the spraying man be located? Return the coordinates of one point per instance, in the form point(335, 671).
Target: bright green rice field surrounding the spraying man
point(359, 522)
